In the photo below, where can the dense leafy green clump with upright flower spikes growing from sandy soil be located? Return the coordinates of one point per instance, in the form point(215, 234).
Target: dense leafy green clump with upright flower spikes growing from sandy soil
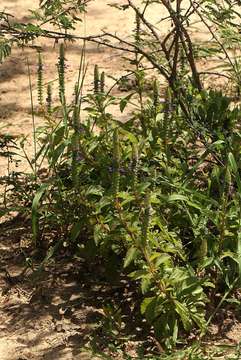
point(132, 192)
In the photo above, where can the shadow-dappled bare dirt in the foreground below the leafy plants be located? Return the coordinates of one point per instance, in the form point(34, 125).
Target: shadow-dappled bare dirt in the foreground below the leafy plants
point(57, 313)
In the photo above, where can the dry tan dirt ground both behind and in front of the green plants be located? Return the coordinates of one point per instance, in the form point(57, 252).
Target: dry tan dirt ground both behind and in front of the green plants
point(52, 320)
